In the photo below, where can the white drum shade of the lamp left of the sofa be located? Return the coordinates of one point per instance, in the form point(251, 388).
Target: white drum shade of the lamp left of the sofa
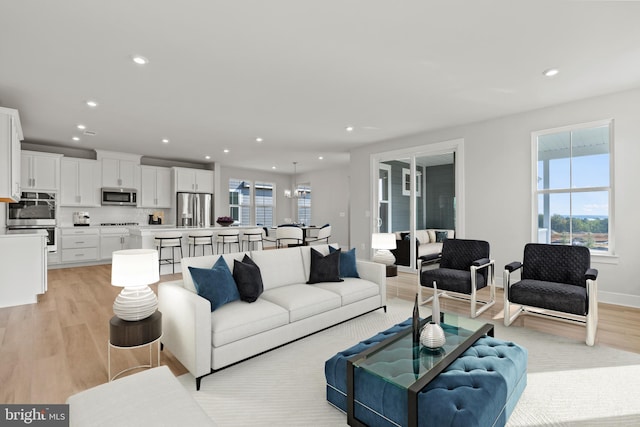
point(134, 267)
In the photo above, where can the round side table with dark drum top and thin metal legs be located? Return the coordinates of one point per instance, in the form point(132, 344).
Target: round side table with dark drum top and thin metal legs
point(125, 334)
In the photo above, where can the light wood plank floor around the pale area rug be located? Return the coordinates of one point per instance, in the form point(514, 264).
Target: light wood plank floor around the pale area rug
point(58, 347)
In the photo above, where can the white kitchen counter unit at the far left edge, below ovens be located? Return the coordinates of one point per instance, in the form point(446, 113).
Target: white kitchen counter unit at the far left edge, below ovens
point(23, 265)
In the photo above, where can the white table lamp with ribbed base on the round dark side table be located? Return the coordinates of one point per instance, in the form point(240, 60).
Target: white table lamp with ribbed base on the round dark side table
point(134, 270)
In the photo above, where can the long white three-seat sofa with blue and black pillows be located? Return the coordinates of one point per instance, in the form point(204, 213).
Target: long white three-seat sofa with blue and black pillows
point(288, 309)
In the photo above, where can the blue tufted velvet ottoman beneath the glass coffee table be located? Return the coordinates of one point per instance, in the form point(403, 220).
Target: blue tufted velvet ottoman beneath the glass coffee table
point(480, 388)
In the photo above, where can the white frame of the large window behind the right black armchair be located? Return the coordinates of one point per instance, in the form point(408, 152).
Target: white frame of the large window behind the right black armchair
point(611, 188)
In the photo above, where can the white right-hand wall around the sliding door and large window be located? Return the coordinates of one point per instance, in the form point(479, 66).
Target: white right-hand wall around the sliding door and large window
point(497, 185)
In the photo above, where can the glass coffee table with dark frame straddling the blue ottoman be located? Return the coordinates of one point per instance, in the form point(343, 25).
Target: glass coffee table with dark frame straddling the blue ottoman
point(421, 364)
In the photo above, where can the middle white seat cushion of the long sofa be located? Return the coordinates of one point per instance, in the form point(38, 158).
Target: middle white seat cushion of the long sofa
point(302, 301)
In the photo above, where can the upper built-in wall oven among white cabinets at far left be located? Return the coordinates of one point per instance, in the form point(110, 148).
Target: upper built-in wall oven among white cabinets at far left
point(33, 209)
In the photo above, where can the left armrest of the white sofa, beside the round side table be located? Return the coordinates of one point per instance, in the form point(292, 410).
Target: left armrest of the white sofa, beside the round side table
point(186, 326)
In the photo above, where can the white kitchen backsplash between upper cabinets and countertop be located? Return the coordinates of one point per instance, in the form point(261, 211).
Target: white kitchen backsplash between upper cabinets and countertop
point(112, 214)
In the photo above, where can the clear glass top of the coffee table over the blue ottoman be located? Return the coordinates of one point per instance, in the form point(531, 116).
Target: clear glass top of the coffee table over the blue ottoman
point(402, 363)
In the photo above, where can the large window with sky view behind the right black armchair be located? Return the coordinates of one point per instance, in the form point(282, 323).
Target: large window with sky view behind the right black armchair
point(573, 186)
